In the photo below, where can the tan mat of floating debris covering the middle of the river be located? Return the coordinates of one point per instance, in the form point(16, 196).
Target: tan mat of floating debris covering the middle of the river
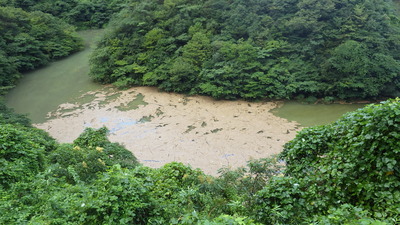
point(194, 130)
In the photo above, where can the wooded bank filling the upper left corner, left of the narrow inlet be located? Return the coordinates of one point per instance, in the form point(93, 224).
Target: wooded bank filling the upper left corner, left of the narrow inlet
point(35, 32)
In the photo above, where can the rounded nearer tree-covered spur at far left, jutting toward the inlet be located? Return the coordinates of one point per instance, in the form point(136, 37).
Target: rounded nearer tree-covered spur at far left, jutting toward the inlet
point(29, 40)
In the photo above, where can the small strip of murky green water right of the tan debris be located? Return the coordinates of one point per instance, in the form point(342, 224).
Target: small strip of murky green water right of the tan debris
point(313, 114)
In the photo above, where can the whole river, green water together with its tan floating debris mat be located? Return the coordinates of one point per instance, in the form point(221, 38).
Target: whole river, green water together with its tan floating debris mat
point(160, 127)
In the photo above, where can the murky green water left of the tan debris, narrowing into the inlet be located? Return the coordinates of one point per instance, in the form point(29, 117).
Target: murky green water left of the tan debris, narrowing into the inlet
point(42, 90)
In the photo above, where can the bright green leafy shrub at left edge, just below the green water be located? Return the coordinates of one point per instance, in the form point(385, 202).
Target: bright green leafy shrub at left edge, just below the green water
point(22, 148)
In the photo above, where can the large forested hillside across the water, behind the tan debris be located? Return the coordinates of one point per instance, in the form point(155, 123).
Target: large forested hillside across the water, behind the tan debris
point(254, 49)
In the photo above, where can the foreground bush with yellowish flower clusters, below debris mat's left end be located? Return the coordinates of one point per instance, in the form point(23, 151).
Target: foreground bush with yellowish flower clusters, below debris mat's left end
point(90, 154)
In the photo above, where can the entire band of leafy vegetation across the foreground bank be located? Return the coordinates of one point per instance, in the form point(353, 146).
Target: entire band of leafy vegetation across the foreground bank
point(343, 173)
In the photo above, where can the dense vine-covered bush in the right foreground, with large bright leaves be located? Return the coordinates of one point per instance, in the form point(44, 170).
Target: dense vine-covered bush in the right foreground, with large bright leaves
point(352, 161)
